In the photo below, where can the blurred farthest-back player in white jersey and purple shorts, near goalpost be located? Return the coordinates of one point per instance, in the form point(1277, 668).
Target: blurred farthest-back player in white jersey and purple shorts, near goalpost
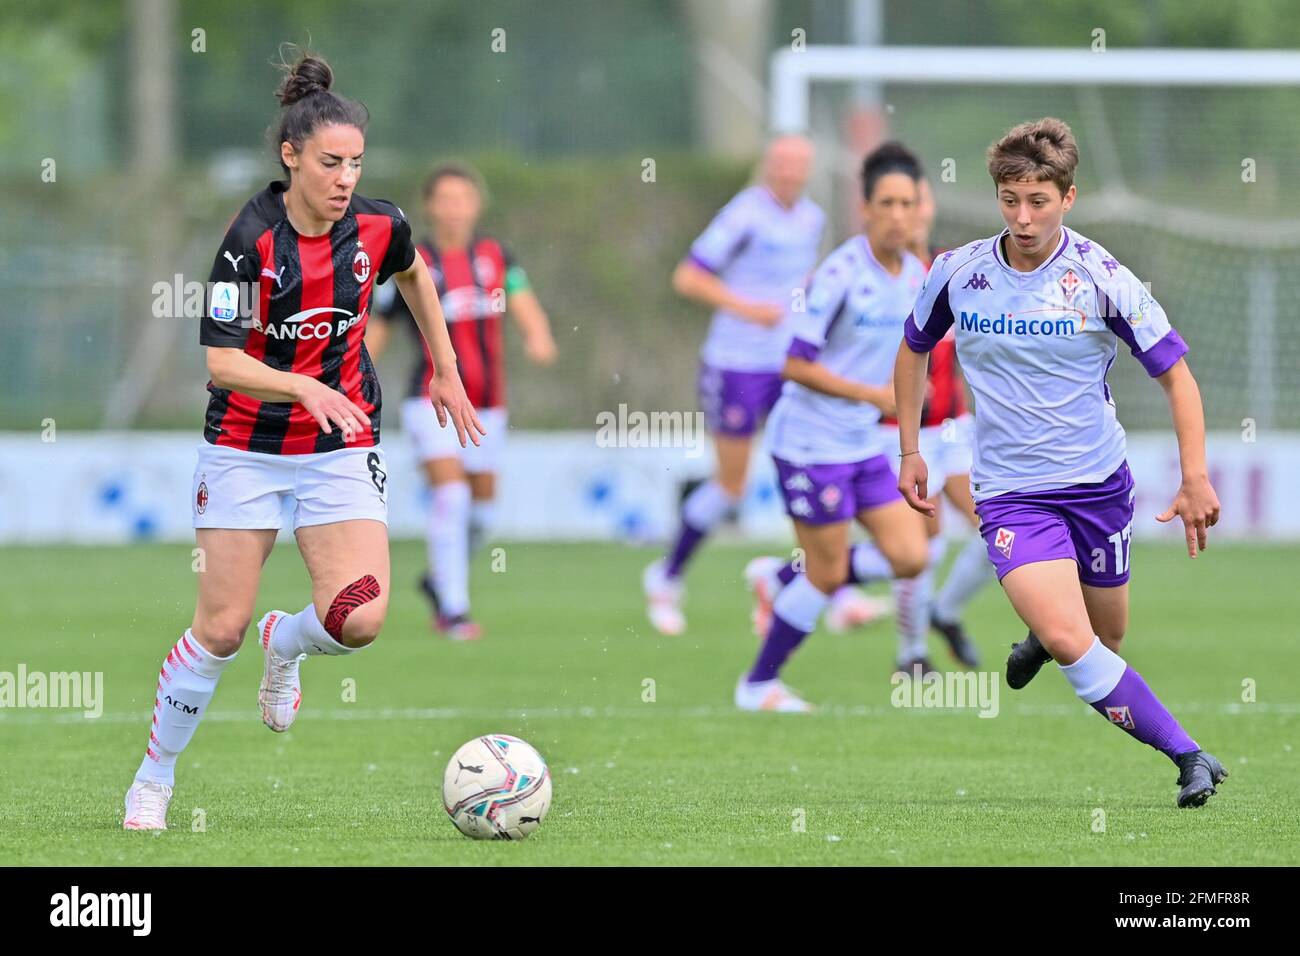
point(747, 265)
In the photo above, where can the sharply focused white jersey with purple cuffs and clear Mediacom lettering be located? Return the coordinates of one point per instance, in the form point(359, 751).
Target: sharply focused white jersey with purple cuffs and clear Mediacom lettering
point(1035, 348)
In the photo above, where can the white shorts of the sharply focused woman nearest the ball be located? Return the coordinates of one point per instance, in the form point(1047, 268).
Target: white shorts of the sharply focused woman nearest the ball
point(252, 490)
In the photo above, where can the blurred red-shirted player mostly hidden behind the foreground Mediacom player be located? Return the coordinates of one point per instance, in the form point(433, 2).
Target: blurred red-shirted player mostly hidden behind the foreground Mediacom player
point(946, 436)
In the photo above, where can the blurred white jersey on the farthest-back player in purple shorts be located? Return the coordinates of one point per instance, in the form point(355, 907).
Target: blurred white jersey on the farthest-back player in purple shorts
point(762, 252)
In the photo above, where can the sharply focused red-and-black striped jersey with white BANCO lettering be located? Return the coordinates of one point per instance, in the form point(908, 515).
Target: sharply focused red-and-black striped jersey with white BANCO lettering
point(300, 304)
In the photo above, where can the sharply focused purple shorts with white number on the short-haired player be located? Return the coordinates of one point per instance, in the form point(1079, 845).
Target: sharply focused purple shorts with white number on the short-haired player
point(1089, 524)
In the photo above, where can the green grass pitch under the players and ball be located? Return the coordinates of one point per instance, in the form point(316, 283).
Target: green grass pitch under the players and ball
point(679, 780)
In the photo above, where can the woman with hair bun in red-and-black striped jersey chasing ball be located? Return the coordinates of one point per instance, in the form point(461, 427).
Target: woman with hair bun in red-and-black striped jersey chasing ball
point(293, 422)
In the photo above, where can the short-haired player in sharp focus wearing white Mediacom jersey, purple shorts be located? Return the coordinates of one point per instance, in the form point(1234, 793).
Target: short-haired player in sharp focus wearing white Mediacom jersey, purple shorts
point(1039, 313)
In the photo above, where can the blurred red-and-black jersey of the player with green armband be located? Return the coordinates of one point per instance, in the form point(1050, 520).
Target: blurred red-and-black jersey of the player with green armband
point(473, 288)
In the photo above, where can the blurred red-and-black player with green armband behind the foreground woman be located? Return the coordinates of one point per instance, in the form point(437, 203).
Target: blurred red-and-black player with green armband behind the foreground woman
point(478, 282)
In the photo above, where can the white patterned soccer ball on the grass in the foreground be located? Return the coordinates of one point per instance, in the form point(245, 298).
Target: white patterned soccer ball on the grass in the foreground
point(497, 788)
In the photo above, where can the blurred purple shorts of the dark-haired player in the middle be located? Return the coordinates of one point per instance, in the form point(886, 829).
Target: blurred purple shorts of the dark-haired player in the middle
point(831, 494)
